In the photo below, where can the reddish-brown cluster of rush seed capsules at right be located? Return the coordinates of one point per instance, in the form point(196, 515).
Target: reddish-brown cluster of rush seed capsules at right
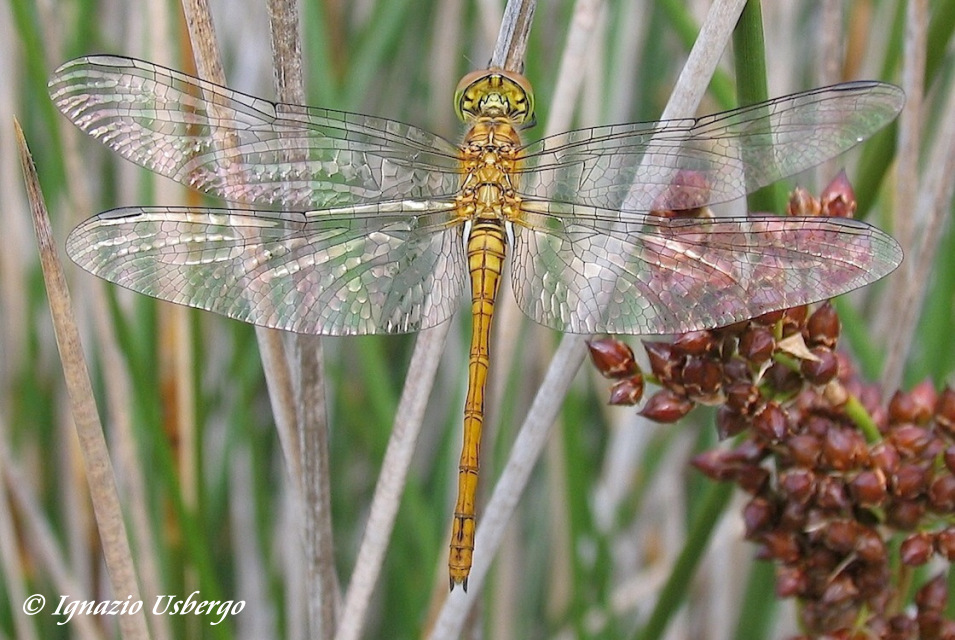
point(835, 476)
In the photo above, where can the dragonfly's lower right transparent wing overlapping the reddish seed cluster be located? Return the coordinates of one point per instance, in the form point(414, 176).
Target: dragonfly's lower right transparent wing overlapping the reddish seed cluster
point(583, 271)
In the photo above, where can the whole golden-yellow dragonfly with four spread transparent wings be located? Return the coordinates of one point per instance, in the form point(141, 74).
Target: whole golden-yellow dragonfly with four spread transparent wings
point(347, 224)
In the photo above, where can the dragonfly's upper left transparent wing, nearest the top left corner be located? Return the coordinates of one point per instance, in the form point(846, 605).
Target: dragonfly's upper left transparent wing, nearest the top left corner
point(245, 149)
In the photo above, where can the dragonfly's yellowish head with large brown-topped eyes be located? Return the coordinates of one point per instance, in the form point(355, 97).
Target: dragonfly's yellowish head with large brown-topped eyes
point(495, 93)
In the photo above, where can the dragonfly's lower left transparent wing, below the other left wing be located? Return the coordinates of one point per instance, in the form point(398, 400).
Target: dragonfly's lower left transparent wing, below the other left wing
point(372, 269)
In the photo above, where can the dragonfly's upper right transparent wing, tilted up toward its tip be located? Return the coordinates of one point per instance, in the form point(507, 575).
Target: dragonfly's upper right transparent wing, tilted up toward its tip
point(716, 158)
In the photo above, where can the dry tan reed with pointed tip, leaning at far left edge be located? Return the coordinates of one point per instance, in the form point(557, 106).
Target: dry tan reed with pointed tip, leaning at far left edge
point(89, 430)
